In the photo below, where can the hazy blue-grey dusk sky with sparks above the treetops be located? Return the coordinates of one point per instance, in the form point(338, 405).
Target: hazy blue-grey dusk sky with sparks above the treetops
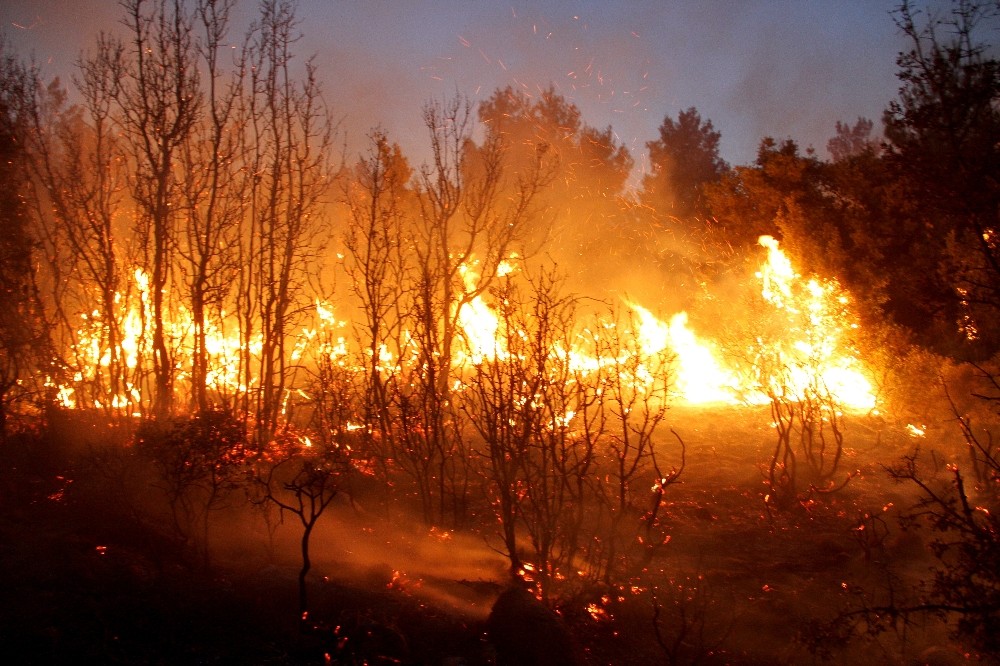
point(755, 68)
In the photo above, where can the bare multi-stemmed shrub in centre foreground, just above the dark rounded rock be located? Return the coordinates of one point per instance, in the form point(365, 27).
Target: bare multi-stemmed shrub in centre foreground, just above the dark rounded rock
point(524, 401)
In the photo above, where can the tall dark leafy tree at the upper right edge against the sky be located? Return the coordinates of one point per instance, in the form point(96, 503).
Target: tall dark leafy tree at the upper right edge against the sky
point(943, 142)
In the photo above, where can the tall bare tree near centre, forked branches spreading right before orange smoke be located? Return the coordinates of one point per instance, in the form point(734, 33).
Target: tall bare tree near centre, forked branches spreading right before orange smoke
point(469, 210)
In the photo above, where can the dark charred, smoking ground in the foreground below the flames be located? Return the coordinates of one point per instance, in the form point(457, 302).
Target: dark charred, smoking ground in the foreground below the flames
point(87, 577)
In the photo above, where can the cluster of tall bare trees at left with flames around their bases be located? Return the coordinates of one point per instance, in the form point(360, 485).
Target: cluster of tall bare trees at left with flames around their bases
point(179, 210)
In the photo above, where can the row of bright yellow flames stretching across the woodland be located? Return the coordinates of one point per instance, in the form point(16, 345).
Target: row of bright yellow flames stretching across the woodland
point(813, 345)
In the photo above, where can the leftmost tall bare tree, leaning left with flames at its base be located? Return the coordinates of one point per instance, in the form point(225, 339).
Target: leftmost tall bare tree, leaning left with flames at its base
point(80, 197)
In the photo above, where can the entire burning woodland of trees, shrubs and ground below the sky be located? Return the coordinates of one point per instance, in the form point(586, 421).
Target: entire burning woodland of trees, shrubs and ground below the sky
point(201, 300)
